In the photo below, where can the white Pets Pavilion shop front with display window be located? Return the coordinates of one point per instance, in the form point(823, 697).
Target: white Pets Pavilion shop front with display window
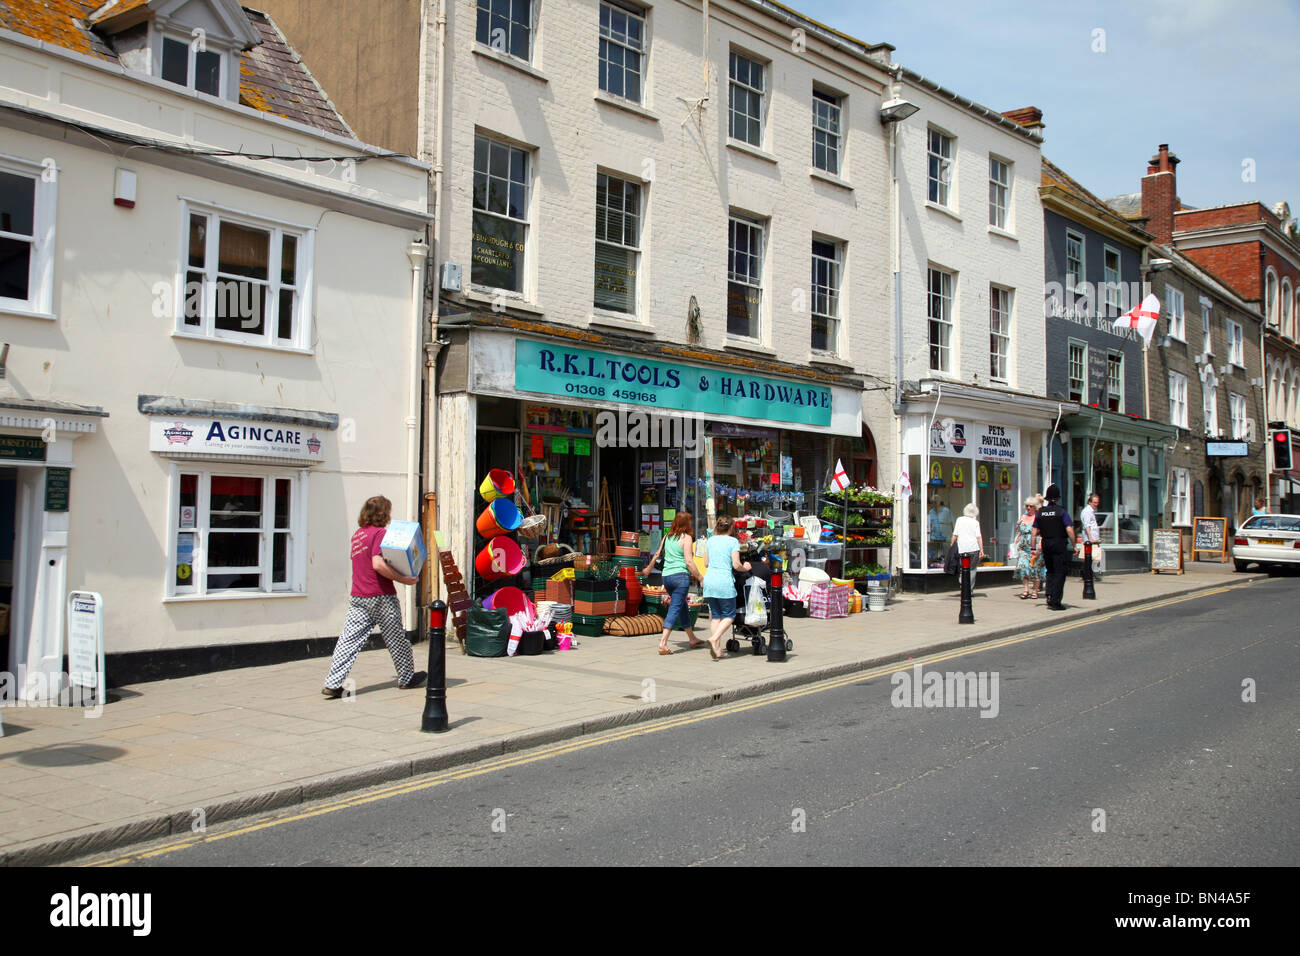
point(965, 445)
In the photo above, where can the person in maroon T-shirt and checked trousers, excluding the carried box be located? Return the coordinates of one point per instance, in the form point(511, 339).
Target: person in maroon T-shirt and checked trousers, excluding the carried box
point(375, 600)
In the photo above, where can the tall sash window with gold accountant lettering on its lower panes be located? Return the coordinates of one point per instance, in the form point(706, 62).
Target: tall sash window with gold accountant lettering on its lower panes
point(500, 215)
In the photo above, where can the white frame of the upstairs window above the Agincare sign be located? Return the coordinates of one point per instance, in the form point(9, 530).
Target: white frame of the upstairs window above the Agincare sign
point(305, 276)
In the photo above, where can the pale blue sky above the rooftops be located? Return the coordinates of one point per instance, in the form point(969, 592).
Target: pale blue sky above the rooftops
point(1216, 80)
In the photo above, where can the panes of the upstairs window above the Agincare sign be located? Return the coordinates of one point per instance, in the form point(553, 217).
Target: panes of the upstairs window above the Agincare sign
point(245, 280)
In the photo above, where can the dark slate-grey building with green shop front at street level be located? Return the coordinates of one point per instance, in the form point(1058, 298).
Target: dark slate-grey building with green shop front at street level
point(1094, 267)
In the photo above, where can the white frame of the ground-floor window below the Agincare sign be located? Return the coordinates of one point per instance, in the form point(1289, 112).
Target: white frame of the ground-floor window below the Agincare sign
point(296, 564)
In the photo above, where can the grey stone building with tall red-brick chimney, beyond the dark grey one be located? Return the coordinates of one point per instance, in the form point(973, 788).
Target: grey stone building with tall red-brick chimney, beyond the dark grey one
point(1206, 374)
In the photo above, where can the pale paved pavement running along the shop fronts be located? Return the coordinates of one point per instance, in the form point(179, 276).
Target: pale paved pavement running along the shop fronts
point(171, 755)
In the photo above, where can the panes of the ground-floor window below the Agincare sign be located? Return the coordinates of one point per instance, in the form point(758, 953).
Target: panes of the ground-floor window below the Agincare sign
point(236, 534)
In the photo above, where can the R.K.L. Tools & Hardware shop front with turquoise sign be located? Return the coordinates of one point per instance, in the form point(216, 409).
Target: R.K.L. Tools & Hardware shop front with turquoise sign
point(644, 434)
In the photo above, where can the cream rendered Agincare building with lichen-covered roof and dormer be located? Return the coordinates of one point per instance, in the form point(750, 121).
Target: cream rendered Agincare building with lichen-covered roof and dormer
point(210, 351)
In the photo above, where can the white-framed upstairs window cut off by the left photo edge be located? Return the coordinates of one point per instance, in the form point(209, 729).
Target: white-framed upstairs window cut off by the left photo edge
point(27, 237)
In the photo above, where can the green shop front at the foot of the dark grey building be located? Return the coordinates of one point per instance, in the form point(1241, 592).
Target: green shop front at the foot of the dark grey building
point(1124, 461)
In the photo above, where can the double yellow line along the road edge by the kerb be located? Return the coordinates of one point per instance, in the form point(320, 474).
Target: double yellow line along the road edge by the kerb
point(668, 724)
